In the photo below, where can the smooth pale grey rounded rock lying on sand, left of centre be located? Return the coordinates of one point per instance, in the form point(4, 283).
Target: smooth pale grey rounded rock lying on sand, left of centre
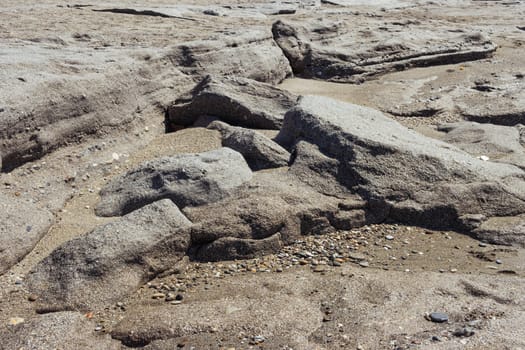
point(187, 179)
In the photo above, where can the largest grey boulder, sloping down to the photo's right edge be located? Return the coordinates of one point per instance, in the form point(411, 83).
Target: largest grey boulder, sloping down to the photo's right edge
point(421, 180)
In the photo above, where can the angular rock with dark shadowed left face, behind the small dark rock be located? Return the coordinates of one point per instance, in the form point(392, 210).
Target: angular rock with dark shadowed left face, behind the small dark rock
point(237, 101)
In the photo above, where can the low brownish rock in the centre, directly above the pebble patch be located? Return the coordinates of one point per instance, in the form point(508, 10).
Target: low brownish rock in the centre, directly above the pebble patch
point(274, 210)
